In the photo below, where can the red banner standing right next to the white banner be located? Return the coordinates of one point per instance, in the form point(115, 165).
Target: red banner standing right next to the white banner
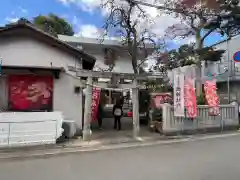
point(190, 98)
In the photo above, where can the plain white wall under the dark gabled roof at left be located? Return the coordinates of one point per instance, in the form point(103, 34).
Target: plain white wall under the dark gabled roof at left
point(28, 52)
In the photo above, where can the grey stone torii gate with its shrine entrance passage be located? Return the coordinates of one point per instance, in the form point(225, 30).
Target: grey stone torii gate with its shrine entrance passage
point(119, 84)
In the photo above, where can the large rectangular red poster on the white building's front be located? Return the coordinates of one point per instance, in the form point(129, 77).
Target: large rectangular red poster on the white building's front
point(30, 93)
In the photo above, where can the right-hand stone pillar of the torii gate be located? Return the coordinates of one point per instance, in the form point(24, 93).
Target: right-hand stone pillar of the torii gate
point(136, 127)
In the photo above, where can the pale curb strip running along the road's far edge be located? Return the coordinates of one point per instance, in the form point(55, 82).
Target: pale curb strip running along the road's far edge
point(73, 150)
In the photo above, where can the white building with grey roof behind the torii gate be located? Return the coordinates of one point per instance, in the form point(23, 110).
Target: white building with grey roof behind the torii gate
point(99, 48)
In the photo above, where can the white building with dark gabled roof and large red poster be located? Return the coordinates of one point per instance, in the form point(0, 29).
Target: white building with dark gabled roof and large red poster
point(34, 72)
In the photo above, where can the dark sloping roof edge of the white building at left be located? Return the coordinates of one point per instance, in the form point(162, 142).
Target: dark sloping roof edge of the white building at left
point(24, 29)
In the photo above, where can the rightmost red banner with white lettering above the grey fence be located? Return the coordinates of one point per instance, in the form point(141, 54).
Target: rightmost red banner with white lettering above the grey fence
point(212, 97)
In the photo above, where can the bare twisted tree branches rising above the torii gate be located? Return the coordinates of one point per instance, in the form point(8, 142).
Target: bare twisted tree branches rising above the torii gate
point(125, 19)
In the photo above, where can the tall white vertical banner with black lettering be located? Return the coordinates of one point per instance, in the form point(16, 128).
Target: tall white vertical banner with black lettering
point(178, 94)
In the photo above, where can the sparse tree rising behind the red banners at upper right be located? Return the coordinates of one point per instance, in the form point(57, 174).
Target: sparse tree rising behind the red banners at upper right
point(200, 18)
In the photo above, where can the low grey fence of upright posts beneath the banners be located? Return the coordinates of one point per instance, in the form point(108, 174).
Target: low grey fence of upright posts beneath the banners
point(228, 118)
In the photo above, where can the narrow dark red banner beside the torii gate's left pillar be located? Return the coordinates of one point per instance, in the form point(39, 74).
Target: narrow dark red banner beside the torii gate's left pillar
point(95, 102)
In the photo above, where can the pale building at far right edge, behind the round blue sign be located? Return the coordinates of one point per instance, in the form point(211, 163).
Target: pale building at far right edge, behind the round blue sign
point(227, 69)
